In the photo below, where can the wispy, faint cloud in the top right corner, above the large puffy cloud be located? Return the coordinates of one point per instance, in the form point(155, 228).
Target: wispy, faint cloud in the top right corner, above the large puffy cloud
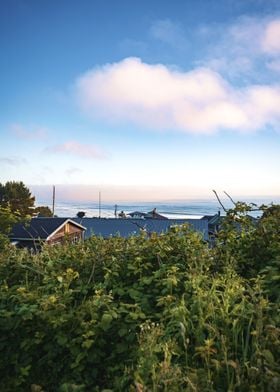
point(244, 50)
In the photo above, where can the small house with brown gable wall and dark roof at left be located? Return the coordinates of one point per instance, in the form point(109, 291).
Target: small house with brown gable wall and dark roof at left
point(46, 230)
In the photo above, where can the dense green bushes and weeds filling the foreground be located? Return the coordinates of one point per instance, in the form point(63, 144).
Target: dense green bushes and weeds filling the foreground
point(158, 313)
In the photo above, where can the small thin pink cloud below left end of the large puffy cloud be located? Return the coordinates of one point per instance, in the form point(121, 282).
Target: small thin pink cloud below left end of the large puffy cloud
point(75, 148)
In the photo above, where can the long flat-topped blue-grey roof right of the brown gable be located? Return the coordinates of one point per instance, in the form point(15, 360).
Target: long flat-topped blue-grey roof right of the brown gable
point(106, 227)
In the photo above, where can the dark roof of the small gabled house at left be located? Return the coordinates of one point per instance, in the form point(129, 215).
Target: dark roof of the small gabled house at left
point(38, 228)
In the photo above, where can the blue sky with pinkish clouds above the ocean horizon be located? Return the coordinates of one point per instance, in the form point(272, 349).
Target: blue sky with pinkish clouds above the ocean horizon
point(142, 100)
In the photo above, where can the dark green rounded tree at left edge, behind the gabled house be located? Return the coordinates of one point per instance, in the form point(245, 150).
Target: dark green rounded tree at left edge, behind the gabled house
point(18, 197)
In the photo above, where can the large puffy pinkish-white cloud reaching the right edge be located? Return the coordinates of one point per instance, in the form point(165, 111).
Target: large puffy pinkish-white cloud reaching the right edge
point(198, 101)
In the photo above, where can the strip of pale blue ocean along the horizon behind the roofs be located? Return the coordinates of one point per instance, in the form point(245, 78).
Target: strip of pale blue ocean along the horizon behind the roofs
point(172, 209)
